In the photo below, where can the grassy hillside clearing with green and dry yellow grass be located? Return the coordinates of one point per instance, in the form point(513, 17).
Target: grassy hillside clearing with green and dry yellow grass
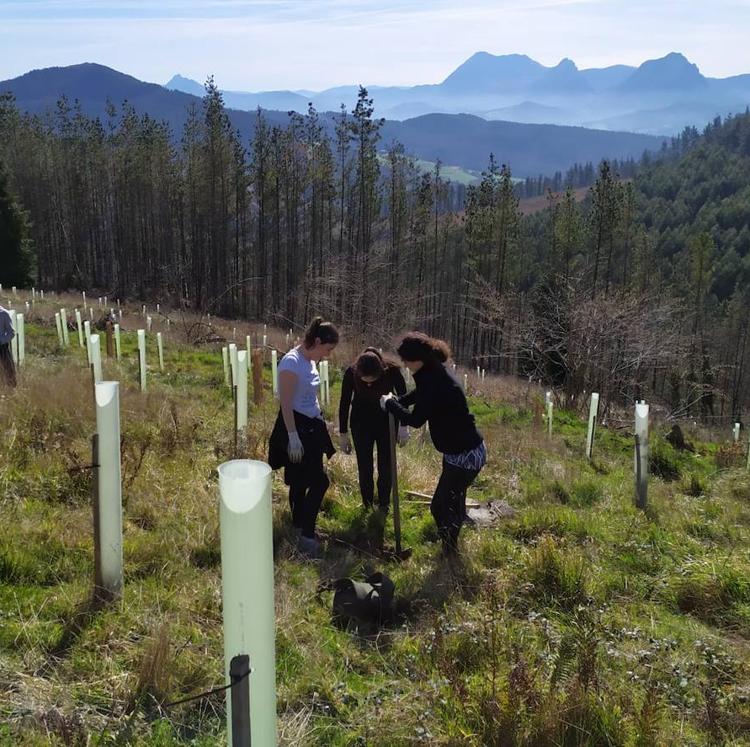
point(579, 621)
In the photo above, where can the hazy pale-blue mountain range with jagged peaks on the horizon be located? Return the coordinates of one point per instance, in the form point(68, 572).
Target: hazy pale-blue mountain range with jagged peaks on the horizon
point(659, 97)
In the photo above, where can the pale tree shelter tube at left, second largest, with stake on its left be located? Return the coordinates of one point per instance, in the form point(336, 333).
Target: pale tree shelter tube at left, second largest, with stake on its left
point(110, 487)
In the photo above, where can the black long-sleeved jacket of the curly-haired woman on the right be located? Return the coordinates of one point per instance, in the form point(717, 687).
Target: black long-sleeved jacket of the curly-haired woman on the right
point(439, 400)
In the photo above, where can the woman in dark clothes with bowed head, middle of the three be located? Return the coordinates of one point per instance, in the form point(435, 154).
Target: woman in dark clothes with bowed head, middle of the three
point(371, 376)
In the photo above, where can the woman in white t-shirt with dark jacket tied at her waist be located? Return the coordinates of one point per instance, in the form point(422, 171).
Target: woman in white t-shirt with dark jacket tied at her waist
point(300, 436)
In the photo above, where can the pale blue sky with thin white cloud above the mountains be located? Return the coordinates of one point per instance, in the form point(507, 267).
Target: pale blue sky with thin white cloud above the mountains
point(314, 44)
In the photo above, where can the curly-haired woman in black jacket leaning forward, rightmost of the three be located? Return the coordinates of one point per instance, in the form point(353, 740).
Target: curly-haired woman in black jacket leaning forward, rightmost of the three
point(439, 400)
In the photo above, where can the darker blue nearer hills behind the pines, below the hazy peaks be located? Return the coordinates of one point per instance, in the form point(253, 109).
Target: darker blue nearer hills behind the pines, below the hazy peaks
point(460, 140)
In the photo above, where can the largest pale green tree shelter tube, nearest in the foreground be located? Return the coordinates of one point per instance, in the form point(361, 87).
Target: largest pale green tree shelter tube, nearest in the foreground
point(247, 588)
